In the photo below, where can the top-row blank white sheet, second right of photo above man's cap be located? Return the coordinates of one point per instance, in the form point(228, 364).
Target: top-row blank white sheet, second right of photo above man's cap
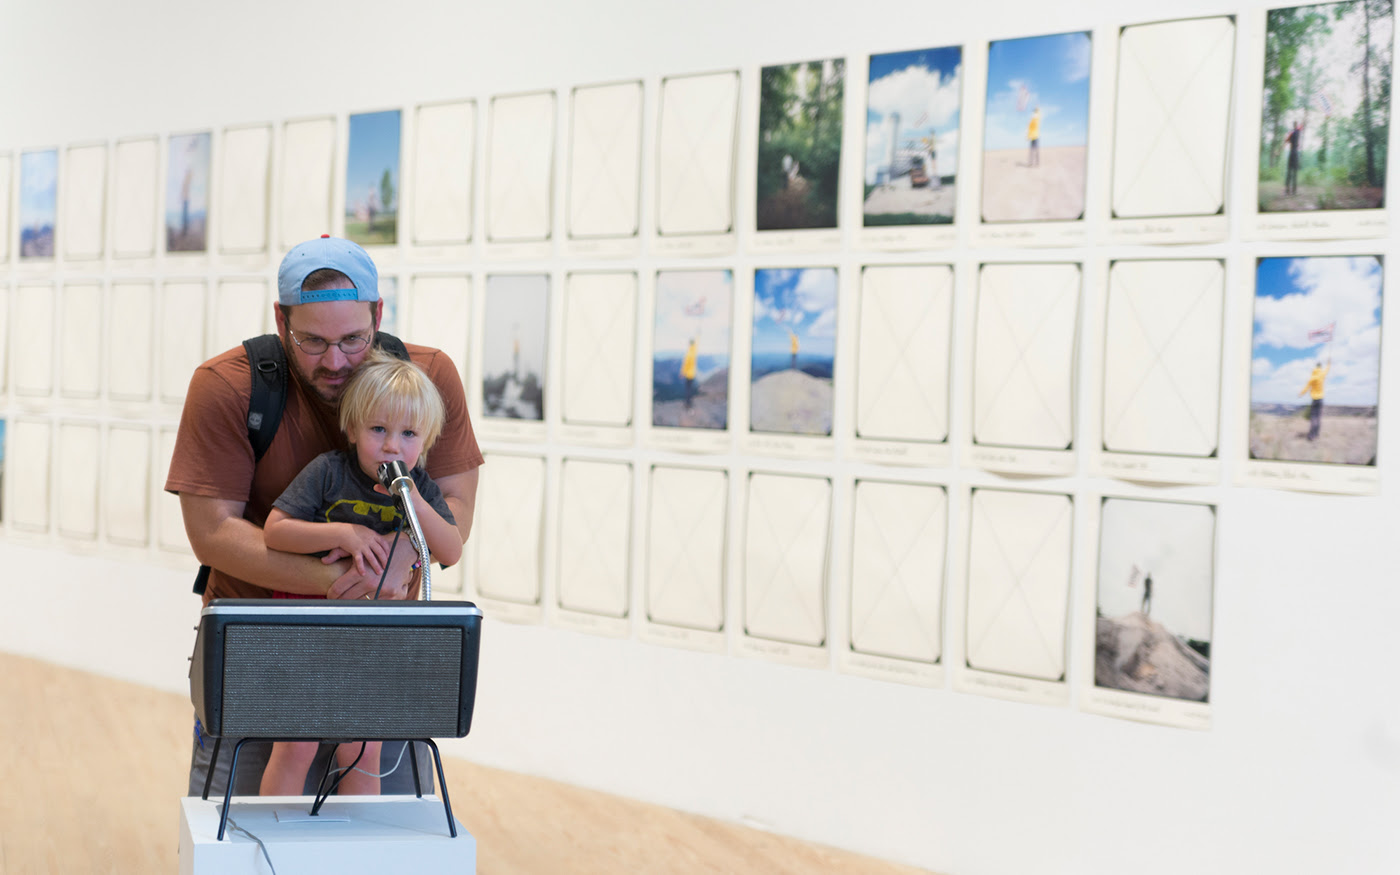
point(521, 169)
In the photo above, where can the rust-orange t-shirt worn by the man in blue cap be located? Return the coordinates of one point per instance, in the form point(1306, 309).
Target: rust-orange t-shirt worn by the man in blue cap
point(213, 457)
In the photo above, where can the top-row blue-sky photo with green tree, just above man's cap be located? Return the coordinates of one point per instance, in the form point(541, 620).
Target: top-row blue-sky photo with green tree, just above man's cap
point(373, 178)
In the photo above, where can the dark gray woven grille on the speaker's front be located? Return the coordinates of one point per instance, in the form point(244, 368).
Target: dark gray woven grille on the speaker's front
point(321, 682)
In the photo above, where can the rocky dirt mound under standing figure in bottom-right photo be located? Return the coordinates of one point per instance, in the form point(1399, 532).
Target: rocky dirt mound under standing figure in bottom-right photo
point(1140, 656)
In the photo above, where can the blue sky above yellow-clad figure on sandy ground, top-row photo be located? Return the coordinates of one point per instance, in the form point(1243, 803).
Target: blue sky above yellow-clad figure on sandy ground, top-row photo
point(1052, 73)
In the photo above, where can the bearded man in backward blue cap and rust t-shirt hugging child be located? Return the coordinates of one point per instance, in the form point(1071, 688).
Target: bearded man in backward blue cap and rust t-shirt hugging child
point(328, 313)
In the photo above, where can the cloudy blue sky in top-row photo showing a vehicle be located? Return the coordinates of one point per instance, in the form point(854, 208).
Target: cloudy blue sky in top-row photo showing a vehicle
point(925, 87)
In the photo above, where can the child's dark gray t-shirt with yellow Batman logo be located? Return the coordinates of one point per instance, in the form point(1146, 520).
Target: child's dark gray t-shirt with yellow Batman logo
point(334, 489)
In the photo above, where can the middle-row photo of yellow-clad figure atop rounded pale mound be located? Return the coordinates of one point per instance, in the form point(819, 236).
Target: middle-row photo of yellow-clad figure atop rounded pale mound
point(794, 351)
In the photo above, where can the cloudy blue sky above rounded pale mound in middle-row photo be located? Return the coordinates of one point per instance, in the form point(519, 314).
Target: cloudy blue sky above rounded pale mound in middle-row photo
point(799, 300)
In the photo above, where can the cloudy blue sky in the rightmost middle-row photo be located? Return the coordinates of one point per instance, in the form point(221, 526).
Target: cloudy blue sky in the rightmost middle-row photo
point(1297, 296)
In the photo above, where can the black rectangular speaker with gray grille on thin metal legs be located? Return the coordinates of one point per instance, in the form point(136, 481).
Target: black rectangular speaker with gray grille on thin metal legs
point(331, 670)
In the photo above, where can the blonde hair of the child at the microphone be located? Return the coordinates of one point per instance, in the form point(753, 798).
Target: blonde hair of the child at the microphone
point(388, 386)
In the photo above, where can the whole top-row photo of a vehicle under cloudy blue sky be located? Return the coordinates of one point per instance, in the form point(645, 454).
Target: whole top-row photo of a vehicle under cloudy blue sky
point(912, 127)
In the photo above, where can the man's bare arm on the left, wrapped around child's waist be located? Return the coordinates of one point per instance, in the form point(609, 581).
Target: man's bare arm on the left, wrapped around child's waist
point(223, 540)
